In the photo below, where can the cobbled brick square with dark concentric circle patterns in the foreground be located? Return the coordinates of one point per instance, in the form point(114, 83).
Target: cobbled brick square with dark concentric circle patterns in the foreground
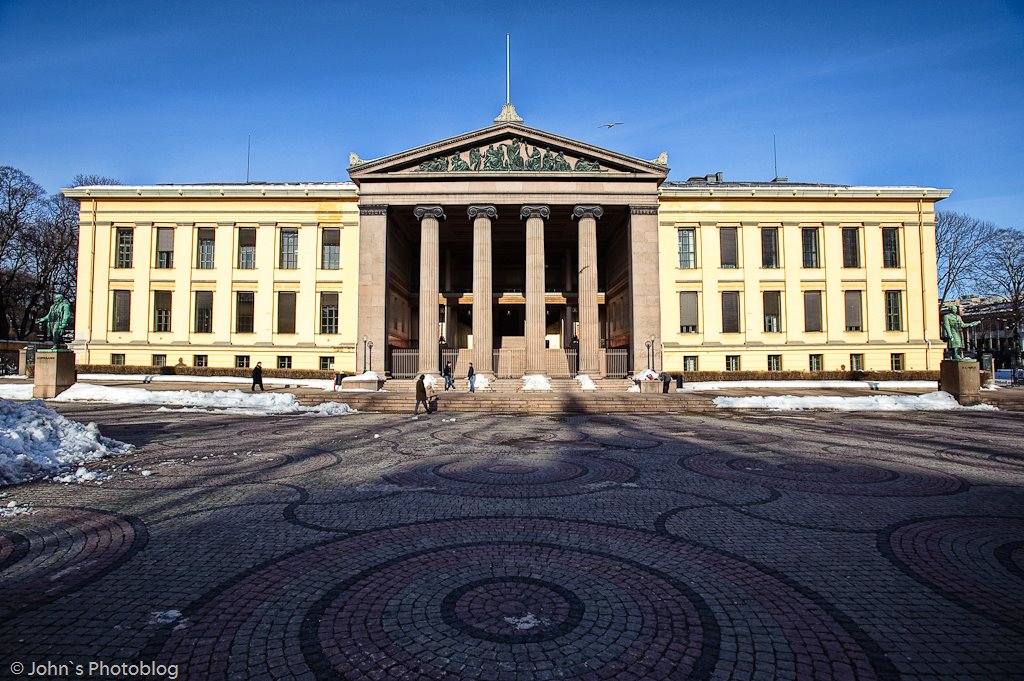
point(723, 546)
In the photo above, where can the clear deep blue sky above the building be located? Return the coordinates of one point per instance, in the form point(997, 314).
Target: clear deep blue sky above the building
point(928, 94)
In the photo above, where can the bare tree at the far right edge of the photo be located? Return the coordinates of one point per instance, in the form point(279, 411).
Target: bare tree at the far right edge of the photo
point(1002, 274)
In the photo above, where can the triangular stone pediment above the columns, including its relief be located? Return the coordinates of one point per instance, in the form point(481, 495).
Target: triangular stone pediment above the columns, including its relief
point(506, 150)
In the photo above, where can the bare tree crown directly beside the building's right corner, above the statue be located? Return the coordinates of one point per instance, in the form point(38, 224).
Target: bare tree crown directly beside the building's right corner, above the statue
point(960, 241)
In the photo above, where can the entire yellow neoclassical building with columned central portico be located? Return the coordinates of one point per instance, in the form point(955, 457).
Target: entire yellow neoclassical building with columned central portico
point(516, 249)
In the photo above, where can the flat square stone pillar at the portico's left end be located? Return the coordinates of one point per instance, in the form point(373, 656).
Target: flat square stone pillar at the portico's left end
point(373, 290)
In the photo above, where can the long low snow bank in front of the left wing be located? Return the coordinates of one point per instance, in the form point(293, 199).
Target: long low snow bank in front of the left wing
point(229, 402)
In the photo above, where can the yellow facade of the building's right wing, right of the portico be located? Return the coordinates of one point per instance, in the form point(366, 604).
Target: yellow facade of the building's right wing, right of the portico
point(708, 209)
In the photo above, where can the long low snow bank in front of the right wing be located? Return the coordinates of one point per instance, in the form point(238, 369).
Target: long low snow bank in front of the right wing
point(933, 402)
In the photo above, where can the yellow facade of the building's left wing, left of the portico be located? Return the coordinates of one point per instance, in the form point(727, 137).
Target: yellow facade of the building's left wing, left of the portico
point(309, 209)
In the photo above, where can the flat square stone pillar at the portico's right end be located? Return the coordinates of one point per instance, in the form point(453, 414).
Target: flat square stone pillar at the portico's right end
point(646, 299)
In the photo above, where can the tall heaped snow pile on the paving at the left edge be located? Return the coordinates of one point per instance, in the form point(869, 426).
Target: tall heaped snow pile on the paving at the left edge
point(36, 442)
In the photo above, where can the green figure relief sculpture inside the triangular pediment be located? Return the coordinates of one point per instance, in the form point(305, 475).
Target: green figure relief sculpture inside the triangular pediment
point(513, 156)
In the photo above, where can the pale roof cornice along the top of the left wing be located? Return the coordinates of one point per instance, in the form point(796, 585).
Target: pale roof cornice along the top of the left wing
point(296, 191)
